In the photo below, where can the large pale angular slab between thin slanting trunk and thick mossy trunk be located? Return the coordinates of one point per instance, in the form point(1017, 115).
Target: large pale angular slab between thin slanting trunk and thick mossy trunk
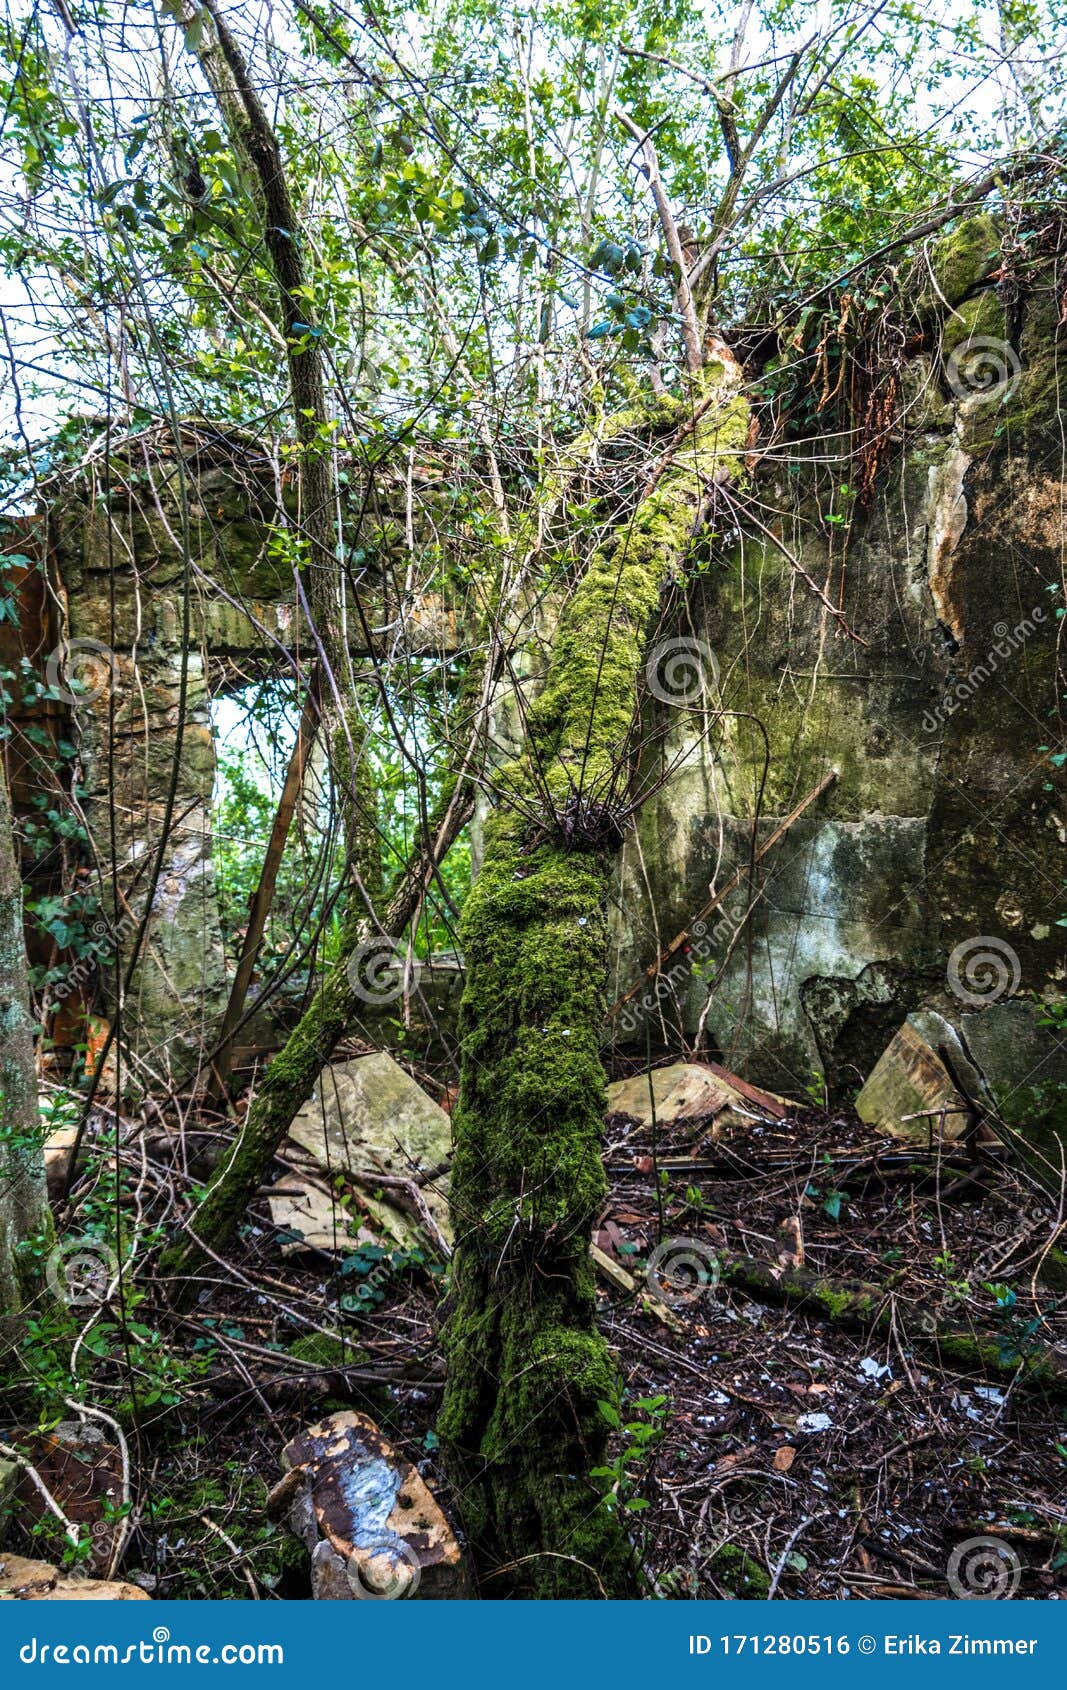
point(369, 1118)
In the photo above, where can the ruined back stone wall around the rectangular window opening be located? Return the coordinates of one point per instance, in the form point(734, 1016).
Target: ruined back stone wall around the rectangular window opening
point(173, 587)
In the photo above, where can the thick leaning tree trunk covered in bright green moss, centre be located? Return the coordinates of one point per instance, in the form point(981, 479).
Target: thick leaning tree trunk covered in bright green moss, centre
point(527, 1365)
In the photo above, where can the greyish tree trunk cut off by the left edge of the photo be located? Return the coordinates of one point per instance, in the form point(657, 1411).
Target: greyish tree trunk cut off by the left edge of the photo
point(23, 1194)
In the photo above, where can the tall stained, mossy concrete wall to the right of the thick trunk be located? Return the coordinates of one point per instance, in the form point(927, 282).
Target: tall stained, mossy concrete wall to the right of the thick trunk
point(946, 822)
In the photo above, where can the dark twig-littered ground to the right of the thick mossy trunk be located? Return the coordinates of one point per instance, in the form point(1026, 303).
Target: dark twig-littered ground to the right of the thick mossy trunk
point(895, 1451)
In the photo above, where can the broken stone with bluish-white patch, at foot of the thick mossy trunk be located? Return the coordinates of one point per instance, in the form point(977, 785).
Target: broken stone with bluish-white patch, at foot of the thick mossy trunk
point(366, 1517)
